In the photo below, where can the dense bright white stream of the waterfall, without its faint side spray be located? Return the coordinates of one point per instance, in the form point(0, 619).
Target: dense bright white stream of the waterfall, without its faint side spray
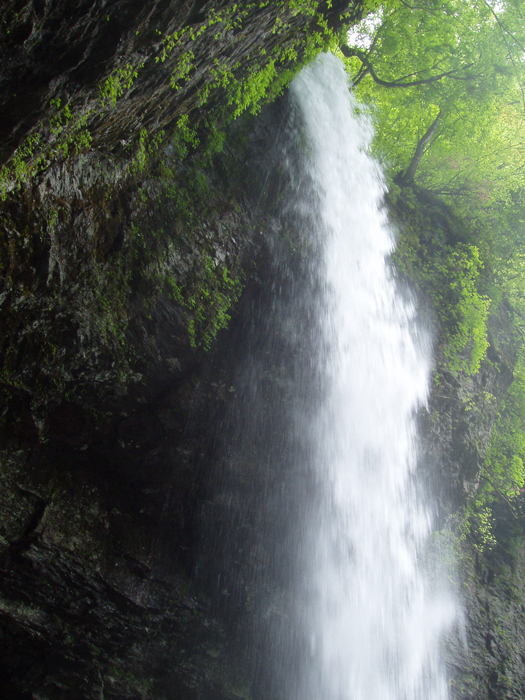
point(373, 621)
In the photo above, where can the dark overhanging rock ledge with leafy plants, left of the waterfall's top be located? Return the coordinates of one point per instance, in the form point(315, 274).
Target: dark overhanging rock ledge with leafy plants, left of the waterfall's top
point(158, 55)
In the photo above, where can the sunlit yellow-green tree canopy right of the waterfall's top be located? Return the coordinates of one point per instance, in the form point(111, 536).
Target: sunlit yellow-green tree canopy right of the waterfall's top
point(467, 62)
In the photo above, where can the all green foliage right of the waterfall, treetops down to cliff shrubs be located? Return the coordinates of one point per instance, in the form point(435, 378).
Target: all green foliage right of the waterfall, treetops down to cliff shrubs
point(459, 66)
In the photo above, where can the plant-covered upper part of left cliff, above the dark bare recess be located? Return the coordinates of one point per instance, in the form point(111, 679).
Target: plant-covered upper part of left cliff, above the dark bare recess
point(102, 214)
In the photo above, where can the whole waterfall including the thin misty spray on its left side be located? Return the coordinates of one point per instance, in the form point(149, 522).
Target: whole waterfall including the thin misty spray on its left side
point(314, 527)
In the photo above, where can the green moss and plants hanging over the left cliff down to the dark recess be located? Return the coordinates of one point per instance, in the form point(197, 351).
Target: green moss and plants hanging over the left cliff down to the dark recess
point(168, 172)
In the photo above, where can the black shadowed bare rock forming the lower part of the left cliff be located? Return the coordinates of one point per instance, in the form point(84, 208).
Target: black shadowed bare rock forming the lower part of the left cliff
point(98, 494)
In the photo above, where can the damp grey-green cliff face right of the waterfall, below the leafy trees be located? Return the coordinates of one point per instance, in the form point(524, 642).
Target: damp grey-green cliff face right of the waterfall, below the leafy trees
point(483, 552)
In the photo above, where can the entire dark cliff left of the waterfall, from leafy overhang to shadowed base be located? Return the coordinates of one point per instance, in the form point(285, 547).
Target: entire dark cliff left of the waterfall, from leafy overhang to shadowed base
point(121, 258)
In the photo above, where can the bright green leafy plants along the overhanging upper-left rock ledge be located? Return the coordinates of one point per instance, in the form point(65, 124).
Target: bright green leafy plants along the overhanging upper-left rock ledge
point(66, 132)
